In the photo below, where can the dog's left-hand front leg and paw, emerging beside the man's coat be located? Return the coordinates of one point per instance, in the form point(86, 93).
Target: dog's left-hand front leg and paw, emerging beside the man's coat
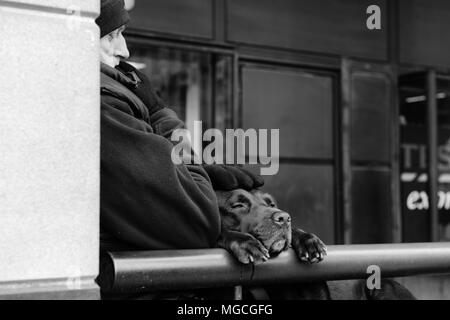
point(243, 246)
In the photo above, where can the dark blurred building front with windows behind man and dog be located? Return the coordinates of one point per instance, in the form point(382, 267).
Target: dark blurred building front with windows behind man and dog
point(364, 115)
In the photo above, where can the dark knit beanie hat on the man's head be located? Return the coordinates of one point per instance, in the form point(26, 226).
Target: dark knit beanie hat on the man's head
point(112, 16)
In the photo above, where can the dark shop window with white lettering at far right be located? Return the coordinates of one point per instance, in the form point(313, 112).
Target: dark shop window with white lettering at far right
point(414, 163)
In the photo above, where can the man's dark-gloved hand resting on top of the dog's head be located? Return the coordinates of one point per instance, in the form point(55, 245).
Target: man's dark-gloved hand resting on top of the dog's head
point(227, 177)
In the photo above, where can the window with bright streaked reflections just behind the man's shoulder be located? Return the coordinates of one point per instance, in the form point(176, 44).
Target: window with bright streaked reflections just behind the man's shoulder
point(196, 84)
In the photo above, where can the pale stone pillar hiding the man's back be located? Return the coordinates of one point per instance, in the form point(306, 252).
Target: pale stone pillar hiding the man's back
point(49, 149)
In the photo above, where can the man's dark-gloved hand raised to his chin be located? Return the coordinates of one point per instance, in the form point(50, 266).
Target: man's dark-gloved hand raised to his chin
point(143, 89)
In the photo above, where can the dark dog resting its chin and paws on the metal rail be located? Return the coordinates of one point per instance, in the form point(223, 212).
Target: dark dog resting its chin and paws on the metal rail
point(254, 229)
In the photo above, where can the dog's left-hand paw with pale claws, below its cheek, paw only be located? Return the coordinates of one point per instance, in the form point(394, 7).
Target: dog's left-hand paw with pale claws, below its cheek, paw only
point(247, 249)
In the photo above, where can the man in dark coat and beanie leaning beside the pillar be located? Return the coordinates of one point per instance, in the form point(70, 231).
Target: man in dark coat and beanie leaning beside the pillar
point(148, 202)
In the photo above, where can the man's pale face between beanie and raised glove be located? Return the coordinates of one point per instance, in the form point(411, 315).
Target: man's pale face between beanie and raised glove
point(113, 48)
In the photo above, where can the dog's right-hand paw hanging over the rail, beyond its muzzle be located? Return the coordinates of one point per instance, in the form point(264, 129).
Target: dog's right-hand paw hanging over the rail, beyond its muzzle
point(308, 247)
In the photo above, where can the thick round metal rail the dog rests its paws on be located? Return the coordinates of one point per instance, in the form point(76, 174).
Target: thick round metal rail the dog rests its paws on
point(209, 268)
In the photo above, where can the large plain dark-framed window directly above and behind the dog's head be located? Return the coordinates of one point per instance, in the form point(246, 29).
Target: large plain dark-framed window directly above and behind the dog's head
point(301, 104)
